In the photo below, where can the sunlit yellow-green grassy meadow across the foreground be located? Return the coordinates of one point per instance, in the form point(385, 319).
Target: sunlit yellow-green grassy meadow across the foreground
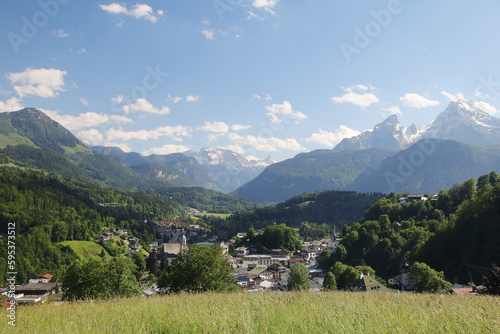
point(306, 312)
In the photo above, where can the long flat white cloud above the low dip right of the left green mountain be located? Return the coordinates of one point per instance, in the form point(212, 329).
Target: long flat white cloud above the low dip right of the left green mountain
point(164, 131)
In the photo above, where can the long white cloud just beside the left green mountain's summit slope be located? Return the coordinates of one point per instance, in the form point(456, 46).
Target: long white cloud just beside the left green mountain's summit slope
point(86, 120)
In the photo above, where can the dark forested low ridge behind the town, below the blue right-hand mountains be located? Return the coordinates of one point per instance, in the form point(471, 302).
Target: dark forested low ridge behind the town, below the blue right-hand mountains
point(321, 207)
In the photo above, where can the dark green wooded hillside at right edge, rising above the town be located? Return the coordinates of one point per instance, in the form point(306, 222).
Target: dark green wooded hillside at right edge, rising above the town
point(457, 234)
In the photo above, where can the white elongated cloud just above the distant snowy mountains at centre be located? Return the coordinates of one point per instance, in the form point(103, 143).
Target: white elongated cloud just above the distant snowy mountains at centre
point(272, 144)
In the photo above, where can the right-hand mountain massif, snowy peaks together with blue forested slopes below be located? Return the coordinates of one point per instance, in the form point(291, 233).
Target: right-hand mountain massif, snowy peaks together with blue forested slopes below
point(462, 142)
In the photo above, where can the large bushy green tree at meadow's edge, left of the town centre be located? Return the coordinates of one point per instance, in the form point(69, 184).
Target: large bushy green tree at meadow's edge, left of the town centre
point(199, 269)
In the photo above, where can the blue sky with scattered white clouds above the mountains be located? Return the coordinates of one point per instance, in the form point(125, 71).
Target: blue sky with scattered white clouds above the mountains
point(261, 77)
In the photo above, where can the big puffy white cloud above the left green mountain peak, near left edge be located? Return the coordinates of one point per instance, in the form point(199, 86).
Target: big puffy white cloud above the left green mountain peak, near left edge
point(43, 82)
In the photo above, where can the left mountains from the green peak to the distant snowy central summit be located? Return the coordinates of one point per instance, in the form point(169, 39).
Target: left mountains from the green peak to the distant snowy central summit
point(32, 138)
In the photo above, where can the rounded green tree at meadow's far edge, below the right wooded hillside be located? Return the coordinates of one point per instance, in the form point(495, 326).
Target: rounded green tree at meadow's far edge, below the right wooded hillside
point(427, 279)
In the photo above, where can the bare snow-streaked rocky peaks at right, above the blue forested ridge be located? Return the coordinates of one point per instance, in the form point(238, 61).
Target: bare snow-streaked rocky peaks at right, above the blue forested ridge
point(460, 121)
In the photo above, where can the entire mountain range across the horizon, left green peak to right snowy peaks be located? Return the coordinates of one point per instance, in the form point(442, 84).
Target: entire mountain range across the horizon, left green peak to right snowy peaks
point(462, 142)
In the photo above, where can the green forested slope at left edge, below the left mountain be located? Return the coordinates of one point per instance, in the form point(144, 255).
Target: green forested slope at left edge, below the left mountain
point(48, 210)
